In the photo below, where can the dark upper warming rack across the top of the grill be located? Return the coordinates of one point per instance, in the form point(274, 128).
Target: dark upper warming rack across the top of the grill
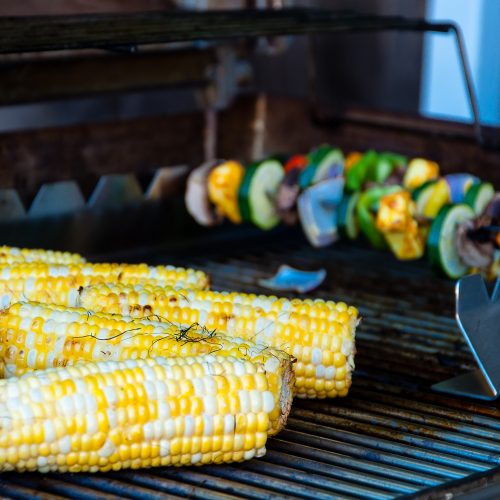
point(108, 31)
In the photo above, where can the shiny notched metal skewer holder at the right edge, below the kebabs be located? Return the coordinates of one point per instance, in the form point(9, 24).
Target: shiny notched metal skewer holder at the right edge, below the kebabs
point(478, 316)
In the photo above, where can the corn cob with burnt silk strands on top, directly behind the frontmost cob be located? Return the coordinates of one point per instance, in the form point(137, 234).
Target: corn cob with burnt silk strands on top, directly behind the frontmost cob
point(35, 336)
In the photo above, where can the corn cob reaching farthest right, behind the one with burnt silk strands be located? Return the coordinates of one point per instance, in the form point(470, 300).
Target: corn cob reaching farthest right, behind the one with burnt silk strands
point(319, 334)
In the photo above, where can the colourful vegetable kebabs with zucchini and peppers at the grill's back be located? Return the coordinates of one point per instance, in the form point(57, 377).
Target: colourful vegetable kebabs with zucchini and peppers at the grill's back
point(308, 191)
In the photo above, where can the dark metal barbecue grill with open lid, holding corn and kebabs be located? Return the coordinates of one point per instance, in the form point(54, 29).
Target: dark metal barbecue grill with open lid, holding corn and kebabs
point(392, 436)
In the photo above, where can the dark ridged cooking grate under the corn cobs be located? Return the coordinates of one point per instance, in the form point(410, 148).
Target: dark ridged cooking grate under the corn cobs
point(390, 437)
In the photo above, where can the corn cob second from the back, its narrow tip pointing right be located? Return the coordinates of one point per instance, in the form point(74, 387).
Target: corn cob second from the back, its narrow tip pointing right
point(58, 283)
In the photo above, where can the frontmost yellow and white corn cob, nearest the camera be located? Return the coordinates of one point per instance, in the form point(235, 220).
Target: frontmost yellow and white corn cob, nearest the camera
point(130, 443)
